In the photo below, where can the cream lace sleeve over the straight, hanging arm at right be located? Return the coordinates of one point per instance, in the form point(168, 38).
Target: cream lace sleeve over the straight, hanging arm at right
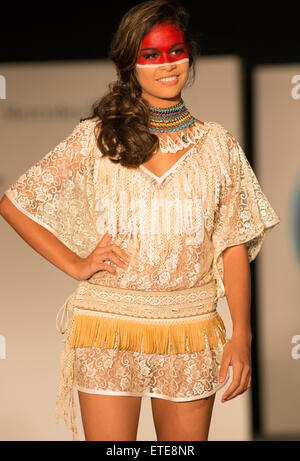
point(244, 214)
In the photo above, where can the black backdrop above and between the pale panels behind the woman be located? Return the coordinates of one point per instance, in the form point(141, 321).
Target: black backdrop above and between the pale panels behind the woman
point(259, 33)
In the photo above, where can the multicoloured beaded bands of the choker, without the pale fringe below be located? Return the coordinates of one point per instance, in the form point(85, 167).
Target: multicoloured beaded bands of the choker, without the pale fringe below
point(173, 118)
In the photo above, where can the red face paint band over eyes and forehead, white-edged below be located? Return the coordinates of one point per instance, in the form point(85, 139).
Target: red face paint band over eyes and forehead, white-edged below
point(163, 45)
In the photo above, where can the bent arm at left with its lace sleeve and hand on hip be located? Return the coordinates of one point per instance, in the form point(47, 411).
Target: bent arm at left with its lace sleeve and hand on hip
point(48, 206)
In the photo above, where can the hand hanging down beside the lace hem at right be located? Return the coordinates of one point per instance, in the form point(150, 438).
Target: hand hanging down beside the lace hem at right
point(237, 353)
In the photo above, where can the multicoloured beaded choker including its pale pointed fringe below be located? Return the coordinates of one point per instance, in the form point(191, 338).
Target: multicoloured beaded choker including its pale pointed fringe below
point(174, 119)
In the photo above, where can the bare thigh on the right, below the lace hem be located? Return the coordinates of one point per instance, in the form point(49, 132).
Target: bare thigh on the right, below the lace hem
point(182, 420)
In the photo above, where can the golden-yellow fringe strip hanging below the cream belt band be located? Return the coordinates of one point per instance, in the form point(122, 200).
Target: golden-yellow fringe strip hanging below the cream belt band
point(92, 331)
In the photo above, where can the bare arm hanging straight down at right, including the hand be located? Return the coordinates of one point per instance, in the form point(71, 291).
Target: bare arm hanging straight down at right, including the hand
point(237, 352)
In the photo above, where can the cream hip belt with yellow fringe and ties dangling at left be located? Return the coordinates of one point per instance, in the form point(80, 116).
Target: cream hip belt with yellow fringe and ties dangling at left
point(178, 322)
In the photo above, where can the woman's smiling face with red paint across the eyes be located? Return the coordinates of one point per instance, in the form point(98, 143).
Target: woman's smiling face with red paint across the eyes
point(162, 67)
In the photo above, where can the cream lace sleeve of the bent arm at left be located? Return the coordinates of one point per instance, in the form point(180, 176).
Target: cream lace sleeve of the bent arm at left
point(53, 192)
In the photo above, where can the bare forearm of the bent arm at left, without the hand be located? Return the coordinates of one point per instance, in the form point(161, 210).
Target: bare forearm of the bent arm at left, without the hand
point(39, 238)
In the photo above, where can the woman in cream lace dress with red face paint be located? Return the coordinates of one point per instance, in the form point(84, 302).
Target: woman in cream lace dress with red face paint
point(158, 215)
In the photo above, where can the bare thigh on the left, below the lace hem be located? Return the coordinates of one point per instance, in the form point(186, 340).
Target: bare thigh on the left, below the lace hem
point(109, 417)
